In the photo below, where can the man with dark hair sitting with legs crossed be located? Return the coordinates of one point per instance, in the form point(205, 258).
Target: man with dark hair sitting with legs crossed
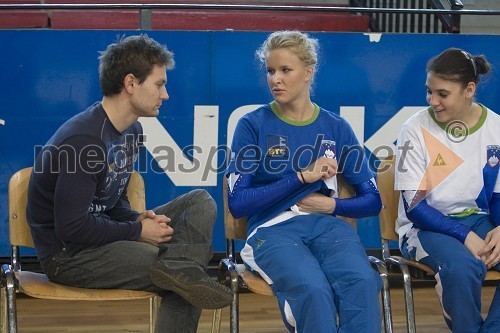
point(85, 233)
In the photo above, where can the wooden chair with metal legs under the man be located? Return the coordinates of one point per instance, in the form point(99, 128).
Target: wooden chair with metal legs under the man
point(15, 280)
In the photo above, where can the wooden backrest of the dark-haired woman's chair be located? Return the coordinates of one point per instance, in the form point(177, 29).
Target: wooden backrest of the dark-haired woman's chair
point(390, 198)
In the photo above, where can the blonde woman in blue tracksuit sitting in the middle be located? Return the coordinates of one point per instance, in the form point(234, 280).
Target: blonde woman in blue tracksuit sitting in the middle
point(286, 156)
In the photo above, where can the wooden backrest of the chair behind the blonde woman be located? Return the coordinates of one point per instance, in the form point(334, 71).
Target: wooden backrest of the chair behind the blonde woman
point(237, 228)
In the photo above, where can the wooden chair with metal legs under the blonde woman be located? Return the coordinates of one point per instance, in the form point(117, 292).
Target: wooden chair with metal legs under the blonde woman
point(240, 276)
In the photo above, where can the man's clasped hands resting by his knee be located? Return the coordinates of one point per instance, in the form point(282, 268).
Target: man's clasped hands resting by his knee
point(155, 228)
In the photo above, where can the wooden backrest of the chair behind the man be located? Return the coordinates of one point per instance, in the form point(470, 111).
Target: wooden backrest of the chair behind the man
point(19, 231)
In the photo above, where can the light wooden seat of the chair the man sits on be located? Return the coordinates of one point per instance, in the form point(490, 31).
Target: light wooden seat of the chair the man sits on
point(37, 285)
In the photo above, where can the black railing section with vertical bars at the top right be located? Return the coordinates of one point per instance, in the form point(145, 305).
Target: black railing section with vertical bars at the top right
point(413, 22)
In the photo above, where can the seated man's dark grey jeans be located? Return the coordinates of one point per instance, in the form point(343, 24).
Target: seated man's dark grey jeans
point(126, 264)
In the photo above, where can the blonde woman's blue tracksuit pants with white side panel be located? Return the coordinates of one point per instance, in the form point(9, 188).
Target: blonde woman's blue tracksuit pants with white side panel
point(320, 274)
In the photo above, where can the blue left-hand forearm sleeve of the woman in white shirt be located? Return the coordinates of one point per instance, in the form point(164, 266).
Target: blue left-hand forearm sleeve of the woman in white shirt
point(428, 218)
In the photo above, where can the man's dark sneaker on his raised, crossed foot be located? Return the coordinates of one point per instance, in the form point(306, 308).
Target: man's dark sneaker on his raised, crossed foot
point(190, 281)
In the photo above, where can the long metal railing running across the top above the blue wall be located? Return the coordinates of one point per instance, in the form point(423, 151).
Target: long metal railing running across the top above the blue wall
point(386, 15)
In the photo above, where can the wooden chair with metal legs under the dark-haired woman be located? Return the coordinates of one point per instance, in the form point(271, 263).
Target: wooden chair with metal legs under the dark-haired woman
point(387, 218)
